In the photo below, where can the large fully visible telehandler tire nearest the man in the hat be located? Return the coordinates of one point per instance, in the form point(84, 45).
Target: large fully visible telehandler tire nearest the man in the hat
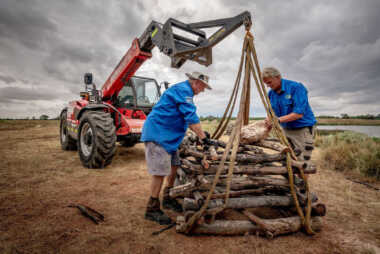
point(96, 139)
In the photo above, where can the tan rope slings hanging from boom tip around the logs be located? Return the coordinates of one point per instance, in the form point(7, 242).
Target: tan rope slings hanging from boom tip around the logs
point(250, 67)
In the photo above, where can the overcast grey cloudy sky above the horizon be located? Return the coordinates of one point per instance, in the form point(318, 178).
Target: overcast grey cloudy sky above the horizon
point(332, 47)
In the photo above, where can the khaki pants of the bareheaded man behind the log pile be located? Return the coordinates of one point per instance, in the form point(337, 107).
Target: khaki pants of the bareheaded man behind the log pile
point(302, 139)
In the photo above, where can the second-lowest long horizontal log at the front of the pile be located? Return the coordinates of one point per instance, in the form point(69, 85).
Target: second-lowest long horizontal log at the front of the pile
point(246, 202)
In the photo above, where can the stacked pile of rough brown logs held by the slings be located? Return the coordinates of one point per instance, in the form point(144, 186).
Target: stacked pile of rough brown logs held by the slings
point(259, 181)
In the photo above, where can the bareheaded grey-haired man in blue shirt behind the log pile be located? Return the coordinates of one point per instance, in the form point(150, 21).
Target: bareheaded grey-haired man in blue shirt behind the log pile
point(290, 104)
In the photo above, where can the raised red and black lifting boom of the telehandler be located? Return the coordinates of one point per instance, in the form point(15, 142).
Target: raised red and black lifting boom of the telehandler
point(178, 40)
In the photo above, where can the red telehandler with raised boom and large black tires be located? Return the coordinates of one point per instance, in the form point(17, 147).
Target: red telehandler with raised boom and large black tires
point(116, 113)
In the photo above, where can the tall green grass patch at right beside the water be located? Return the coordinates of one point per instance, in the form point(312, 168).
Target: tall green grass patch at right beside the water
point(348, 151)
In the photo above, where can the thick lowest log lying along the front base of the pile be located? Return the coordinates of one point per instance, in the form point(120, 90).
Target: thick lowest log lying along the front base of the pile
point(235, 227)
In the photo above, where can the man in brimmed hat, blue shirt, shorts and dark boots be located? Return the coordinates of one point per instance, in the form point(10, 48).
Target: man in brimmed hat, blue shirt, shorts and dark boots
point(163, 132)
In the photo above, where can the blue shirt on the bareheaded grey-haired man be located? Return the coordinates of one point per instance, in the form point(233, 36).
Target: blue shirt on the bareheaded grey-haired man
point(292, 99)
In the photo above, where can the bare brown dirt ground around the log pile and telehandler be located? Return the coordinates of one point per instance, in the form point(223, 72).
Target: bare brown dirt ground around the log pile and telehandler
point(38, 181)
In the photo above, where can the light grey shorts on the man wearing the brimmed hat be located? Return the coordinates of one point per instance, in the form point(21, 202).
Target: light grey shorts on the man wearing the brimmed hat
point(158, 160)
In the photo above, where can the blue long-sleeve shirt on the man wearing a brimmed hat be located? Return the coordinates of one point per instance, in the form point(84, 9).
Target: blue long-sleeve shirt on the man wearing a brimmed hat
point(170, 117)
